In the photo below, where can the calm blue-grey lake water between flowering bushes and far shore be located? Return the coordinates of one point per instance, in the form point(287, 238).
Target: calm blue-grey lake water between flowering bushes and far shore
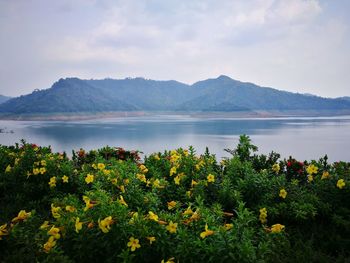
point(303, 138)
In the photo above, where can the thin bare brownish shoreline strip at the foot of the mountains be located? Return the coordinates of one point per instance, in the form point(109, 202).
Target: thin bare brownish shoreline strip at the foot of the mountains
point(76, 116)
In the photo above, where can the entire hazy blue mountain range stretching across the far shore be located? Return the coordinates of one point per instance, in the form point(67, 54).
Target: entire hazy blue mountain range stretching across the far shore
point(139, 94)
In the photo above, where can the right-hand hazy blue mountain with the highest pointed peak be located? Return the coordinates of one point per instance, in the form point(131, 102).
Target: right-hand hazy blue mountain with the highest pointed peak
point(223, 91)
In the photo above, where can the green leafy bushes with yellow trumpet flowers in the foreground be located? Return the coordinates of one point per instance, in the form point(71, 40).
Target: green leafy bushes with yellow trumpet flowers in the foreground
point(107, 205)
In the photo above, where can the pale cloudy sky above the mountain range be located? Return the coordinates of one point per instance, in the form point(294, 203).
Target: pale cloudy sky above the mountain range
point(295, 45)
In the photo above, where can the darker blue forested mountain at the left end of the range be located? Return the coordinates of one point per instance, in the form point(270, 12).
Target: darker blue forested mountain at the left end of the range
point(66, 95)
